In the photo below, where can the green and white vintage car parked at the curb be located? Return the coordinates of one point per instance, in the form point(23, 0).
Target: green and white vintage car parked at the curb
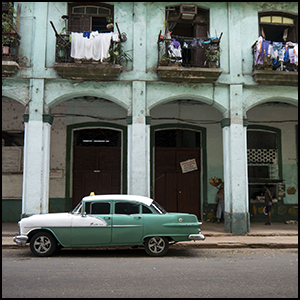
point(109, 220)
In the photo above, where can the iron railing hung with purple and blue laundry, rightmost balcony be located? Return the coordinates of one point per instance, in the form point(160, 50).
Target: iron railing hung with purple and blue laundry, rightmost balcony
point(272, 60)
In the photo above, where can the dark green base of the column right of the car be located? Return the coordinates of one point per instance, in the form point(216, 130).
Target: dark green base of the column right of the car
point(237, 223)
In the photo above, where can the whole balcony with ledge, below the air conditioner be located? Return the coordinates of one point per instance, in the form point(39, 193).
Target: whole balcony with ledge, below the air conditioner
point(188, 60)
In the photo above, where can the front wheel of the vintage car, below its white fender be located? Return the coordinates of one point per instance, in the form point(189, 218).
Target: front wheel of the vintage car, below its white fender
point(43, 244)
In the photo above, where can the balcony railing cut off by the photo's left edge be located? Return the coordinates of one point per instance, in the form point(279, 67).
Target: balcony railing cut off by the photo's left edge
point(10, 45)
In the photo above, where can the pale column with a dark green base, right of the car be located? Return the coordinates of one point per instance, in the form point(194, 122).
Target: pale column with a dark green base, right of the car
point(237, 220)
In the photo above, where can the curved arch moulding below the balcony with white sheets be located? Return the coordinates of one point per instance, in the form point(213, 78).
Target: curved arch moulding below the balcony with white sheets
point(92, 93)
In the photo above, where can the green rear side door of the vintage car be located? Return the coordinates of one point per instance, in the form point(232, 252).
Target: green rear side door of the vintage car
point(127, 223)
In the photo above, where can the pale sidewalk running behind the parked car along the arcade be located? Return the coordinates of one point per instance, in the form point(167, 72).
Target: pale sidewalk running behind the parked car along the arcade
point(278, 235)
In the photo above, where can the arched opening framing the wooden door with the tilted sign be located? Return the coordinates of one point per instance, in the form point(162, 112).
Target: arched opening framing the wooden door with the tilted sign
point(186, 131)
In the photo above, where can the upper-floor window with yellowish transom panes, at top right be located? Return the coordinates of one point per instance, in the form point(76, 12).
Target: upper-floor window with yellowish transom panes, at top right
point(278, 27)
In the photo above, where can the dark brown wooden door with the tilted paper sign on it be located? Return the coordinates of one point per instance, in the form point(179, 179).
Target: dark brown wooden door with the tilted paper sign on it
point(174, 190)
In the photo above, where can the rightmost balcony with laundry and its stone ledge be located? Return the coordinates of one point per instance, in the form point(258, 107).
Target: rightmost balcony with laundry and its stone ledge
point(274, 70)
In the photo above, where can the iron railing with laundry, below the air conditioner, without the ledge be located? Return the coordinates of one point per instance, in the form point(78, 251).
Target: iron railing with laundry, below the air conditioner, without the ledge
point(188, 51)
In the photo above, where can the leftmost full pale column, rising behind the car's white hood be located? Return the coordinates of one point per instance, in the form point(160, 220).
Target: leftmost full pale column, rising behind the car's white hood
point(36, 166)
